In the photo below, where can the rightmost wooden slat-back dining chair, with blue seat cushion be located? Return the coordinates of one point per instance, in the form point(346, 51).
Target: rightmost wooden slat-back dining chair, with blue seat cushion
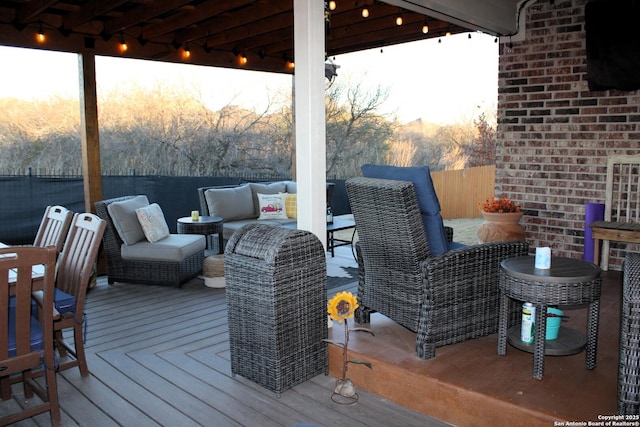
point(76, 265)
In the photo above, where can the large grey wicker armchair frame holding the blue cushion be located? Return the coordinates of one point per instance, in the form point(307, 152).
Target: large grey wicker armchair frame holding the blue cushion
point(446, 299)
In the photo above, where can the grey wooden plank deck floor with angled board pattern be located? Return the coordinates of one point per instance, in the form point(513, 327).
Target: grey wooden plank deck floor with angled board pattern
point(159, 356)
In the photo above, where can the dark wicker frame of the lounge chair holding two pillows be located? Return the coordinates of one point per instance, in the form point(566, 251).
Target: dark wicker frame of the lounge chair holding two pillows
point(151, 272)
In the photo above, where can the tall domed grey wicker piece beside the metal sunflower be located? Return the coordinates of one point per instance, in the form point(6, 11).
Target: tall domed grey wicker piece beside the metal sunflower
point(276, 290)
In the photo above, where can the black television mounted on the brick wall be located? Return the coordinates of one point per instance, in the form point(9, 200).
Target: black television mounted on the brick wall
point(613, 44)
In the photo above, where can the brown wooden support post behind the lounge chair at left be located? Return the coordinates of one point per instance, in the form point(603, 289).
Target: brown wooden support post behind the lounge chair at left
point(91, 171)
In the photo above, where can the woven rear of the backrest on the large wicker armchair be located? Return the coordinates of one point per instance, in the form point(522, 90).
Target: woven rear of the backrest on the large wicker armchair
point(393, 244)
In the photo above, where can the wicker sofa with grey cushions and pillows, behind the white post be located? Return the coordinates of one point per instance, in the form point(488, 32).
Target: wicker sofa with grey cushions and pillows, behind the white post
point(239, 205)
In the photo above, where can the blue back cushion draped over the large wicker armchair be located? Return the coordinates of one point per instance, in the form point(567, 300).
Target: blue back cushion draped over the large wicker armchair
point(428, 201)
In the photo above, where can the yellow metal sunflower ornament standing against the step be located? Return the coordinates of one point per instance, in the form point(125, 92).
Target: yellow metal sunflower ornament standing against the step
point(342, 307)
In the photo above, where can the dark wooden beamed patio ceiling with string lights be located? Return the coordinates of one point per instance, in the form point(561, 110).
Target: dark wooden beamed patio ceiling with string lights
point(214, 32)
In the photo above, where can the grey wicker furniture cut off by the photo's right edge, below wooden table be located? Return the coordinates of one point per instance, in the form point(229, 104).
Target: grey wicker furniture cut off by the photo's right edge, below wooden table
point(629, 357)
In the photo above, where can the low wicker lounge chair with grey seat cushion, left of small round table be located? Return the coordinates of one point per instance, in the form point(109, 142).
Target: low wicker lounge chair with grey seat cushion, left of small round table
point(170, 261)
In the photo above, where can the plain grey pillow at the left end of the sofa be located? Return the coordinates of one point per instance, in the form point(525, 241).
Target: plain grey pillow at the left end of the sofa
point(230, 204)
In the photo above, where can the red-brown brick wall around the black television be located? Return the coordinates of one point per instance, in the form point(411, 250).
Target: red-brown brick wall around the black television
point(554, 134)
